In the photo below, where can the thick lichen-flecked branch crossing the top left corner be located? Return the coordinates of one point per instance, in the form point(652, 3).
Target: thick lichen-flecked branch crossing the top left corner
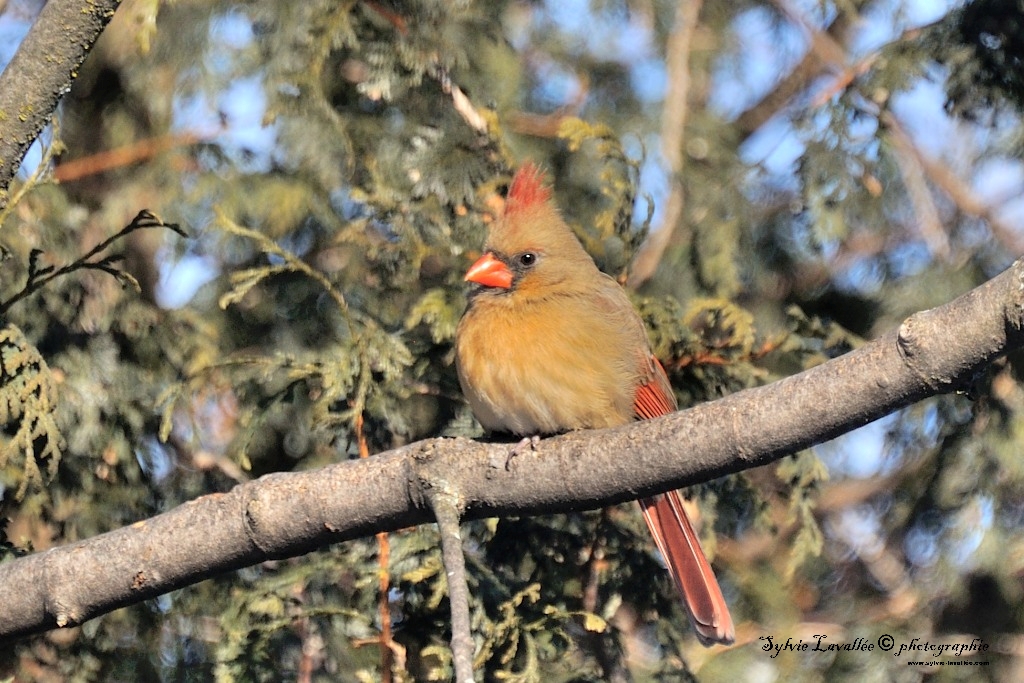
point(41, 73)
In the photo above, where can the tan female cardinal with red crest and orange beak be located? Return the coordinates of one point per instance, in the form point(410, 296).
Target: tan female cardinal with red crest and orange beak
point(550, 345)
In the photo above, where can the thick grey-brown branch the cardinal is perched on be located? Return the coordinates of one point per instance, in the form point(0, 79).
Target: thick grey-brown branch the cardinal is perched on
point(287, 515)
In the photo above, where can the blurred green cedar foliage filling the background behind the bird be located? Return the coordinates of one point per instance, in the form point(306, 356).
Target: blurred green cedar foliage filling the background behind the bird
point(334, 195)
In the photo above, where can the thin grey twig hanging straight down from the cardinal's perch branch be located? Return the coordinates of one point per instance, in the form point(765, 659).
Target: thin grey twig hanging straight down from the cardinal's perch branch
point(446, 506)
